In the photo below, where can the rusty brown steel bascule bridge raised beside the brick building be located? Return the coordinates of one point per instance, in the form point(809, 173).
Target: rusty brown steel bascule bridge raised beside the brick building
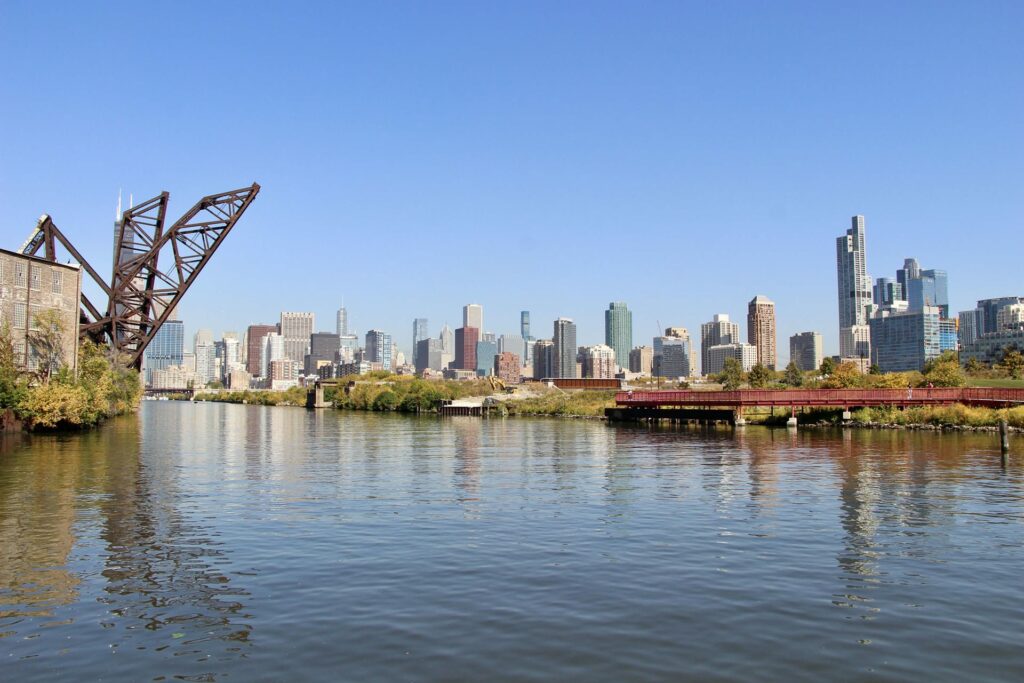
point(142, 294)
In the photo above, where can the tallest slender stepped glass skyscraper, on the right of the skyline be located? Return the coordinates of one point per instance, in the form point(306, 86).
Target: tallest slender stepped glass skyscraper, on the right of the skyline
point(855, 286)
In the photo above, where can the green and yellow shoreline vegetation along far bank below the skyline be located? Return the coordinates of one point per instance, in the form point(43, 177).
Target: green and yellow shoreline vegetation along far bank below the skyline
point(385, 393)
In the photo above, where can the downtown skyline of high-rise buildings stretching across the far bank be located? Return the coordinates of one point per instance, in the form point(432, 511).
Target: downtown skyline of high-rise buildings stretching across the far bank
point(897, 324)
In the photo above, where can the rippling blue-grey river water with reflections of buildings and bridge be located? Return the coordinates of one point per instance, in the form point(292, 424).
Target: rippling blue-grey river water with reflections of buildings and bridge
point(209, 543)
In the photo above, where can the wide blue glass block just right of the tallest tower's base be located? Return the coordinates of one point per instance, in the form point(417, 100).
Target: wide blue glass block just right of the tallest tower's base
point(903, 343)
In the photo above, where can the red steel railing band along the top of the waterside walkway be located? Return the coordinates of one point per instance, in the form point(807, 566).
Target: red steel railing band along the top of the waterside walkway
point(823, 398)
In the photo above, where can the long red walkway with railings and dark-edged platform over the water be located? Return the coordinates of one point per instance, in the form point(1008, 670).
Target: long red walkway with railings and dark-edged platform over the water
point(729, 406)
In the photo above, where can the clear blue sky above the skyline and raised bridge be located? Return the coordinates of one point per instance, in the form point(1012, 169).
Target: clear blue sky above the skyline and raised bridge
point(550, 157)
